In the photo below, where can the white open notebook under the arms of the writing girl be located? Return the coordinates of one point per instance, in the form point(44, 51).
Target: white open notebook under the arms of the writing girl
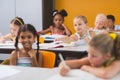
point(77, 74)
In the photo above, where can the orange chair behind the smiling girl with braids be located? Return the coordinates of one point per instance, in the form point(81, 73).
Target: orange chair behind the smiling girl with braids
point(48, 59)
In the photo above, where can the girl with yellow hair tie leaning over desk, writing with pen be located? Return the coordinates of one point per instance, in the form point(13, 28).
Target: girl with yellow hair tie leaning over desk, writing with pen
point(103, 57)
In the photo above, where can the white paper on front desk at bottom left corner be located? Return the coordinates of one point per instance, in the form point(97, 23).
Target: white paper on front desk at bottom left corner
point(6, 72)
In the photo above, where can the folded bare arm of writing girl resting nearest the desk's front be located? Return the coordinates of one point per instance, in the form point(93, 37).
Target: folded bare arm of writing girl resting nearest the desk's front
point(104, 72)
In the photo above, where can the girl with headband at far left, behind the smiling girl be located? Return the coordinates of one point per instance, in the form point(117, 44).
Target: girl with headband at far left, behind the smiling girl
point(15, 24)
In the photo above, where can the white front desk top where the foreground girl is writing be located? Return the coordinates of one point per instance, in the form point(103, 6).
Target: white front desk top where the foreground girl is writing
point(33, 73)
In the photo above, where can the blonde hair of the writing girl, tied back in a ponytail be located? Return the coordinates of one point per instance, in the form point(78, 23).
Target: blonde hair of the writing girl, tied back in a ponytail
point(105, 43)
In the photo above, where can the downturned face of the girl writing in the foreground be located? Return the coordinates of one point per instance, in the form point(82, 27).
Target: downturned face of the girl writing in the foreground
point(96, 58)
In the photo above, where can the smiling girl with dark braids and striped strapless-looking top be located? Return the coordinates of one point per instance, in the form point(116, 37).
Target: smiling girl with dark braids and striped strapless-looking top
point(26, 56)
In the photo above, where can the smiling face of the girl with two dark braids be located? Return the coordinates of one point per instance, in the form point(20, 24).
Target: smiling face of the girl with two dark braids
point(27, 39)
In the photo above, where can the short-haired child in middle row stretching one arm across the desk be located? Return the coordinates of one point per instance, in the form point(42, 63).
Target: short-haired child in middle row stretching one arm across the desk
point(81, 27)
